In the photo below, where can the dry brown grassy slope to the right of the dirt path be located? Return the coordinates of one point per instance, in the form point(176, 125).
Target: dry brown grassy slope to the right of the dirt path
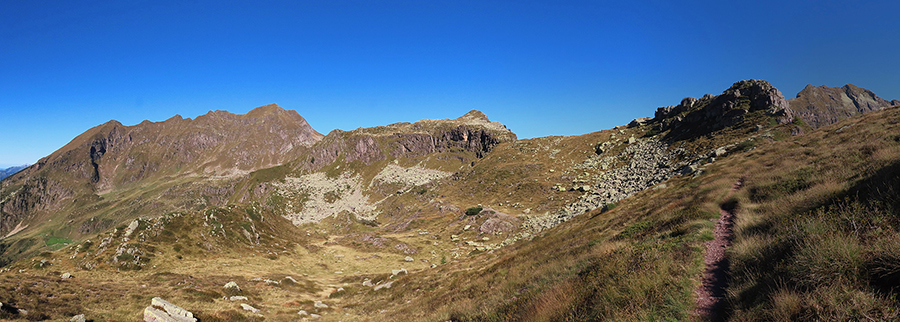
point(817, 238)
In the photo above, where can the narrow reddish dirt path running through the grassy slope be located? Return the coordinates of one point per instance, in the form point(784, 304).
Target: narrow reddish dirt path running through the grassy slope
point(711, 293)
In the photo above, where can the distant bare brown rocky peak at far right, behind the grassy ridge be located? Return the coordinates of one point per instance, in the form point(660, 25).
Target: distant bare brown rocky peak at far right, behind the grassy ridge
point(819, 106)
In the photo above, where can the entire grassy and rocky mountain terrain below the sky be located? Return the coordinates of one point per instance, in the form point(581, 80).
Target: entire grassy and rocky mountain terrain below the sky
point(260, 217)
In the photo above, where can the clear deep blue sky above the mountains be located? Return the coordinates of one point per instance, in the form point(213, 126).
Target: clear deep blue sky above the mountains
point(540, 67)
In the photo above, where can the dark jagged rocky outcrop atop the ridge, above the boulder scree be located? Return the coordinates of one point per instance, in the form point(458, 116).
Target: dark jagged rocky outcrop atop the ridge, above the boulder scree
point(695, 117)
